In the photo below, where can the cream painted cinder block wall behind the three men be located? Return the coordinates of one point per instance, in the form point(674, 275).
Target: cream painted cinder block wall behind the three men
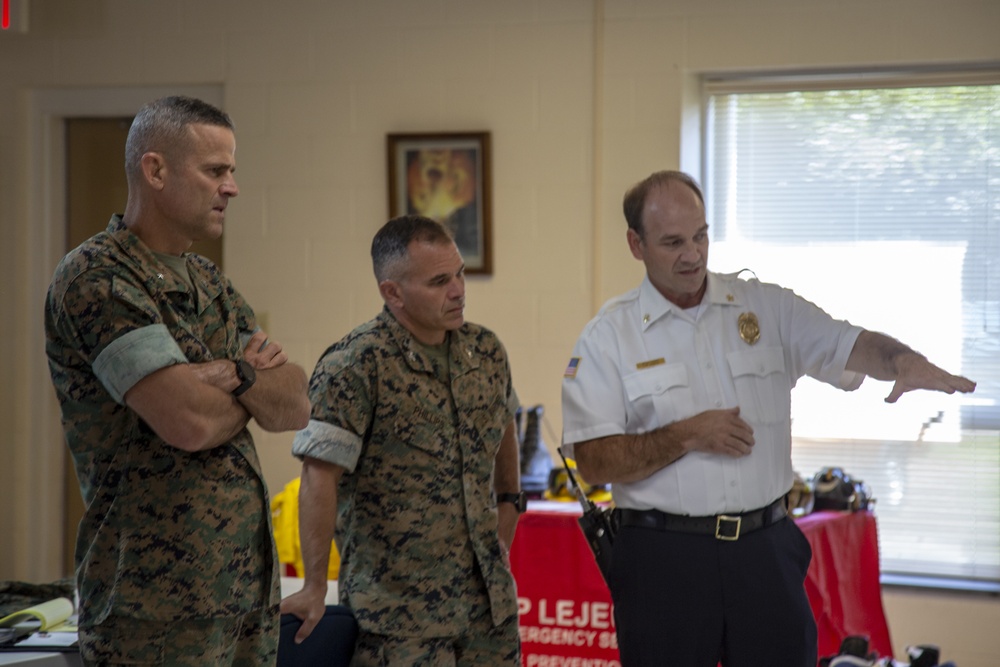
point(582, 99)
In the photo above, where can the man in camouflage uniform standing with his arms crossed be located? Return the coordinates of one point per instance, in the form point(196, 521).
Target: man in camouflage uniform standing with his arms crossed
point(159, 365)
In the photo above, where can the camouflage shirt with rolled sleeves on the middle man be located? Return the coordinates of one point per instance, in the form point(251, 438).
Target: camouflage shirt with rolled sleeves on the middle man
point(417, 519)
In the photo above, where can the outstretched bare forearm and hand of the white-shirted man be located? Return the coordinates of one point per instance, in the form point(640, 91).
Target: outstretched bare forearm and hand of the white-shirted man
point(885, 358)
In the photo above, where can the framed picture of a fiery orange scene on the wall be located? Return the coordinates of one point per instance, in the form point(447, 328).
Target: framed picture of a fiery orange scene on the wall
point(446, 177)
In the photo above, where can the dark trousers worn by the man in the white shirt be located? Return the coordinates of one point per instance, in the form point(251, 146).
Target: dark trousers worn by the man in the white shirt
point(693, 601)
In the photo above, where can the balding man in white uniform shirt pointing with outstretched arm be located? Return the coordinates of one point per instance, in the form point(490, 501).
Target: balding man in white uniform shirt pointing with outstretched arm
point(678, 394)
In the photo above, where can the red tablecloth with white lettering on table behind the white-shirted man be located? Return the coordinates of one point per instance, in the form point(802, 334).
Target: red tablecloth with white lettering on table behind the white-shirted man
point(566, 609)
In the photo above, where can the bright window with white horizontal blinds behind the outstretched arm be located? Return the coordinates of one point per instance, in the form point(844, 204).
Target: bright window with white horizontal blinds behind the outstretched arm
point(879, 200)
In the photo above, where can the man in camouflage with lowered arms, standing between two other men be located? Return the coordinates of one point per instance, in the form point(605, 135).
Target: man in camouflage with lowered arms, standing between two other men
point(412, 440)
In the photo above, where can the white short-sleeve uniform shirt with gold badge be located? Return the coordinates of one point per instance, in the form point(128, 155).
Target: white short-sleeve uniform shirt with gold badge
point(643, 363)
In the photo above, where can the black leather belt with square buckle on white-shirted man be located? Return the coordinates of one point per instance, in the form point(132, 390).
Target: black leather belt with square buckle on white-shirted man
point(728, 527)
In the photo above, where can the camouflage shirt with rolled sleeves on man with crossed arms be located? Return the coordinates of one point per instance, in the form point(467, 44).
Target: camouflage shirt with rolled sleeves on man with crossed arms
point(166, 534)
